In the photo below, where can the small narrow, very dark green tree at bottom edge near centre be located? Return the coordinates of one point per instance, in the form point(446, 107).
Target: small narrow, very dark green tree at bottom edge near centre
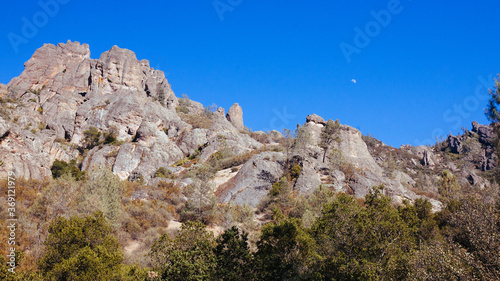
point(234, 260)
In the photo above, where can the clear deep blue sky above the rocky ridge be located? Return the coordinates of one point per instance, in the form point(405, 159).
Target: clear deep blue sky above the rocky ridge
point(282, 60)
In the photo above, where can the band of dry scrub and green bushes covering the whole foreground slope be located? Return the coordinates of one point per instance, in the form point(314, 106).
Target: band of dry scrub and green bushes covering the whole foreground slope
point(320, 236)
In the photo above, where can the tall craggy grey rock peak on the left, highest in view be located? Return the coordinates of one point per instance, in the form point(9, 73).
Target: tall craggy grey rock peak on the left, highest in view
point(68, 92)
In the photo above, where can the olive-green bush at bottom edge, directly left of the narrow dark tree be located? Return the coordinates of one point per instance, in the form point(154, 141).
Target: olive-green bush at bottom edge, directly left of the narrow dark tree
point(189, 256)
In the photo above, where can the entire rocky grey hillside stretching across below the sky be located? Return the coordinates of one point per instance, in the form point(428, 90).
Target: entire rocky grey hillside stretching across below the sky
point(118, 112)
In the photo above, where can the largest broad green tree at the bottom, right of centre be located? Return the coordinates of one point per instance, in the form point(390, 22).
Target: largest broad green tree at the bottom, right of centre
point(362, 242)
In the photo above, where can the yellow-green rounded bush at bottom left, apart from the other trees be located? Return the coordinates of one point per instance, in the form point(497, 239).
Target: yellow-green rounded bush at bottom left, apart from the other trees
point(81, 249)
